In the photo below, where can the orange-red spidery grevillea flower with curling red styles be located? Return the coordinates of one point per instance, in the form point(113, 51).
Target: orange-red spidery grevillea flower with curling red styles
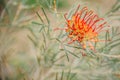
point(84, 25)
